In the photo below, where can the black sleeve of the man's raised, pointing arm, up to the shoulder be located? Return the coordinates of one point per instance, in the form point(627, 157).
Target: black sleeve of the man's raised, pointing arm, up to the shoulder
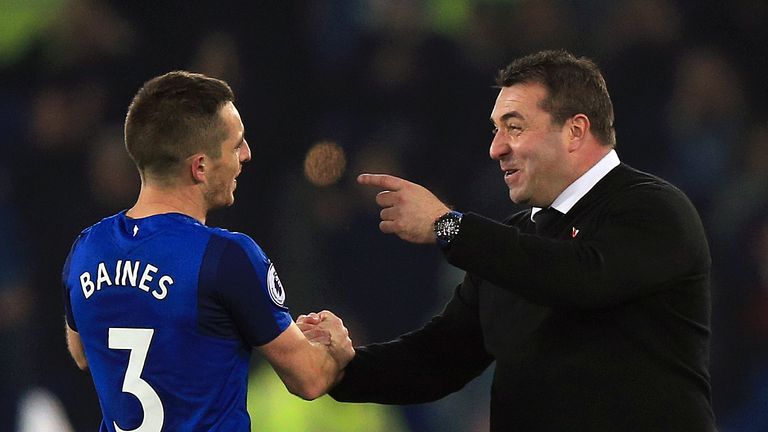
point(647, 239)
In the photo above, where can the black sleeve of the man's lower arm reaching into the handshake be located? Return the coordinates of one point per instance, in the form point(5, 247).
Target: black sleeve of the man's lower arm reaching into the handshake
point(424, 365)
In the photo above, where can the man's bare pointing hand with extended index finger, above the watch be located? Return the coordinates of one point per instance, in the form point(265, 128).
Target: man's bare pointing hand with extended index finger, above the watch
point(408, 209)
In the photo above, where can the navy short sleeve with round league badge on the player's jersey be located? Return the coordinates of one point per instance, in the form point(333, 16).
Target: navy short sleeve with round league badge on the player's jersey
point(238, 276)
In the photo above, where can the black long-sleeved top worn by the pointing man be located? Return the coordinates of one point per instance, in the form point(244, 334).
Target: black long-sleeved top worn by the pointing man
point(604, 327)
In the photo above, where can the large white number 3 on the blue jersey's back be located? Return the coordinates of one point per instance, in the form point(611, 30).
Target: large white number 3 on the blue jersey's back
point(137, 341)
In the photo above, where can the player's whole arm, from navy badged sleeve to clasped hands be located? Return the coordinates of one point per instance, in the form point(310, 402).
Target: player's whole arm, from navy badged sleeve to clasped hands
point(237, 275)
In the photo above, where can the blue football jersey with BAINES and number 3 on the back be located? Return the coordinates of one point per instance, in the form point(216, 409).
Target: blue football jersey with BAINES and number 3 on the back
point(168, 311)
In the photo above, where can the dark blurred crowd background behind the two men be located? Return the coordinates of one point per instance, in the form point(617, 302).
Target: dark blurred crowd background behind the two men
point(397, 86)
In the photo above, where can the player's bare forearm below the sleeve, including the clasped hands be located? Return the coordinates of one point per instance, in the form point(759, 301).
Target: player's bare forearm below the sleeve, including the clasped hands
point(309, 369)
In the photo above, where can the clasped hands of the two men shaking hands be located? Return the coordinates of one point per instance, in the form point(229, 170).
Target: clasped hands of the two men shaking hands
point(325, 328)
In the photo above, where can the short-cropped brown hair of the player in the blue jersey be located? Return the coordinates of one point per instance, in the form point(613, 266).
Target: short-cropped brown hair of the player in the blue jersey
point(172, 117)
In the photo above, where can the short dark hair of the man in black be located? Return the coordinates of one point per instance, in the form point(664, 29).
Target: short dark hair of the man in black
point(574, 86)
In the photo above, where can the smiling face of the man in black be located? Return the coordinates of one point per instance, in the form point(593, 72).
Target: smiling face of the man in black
point(531, 151)
